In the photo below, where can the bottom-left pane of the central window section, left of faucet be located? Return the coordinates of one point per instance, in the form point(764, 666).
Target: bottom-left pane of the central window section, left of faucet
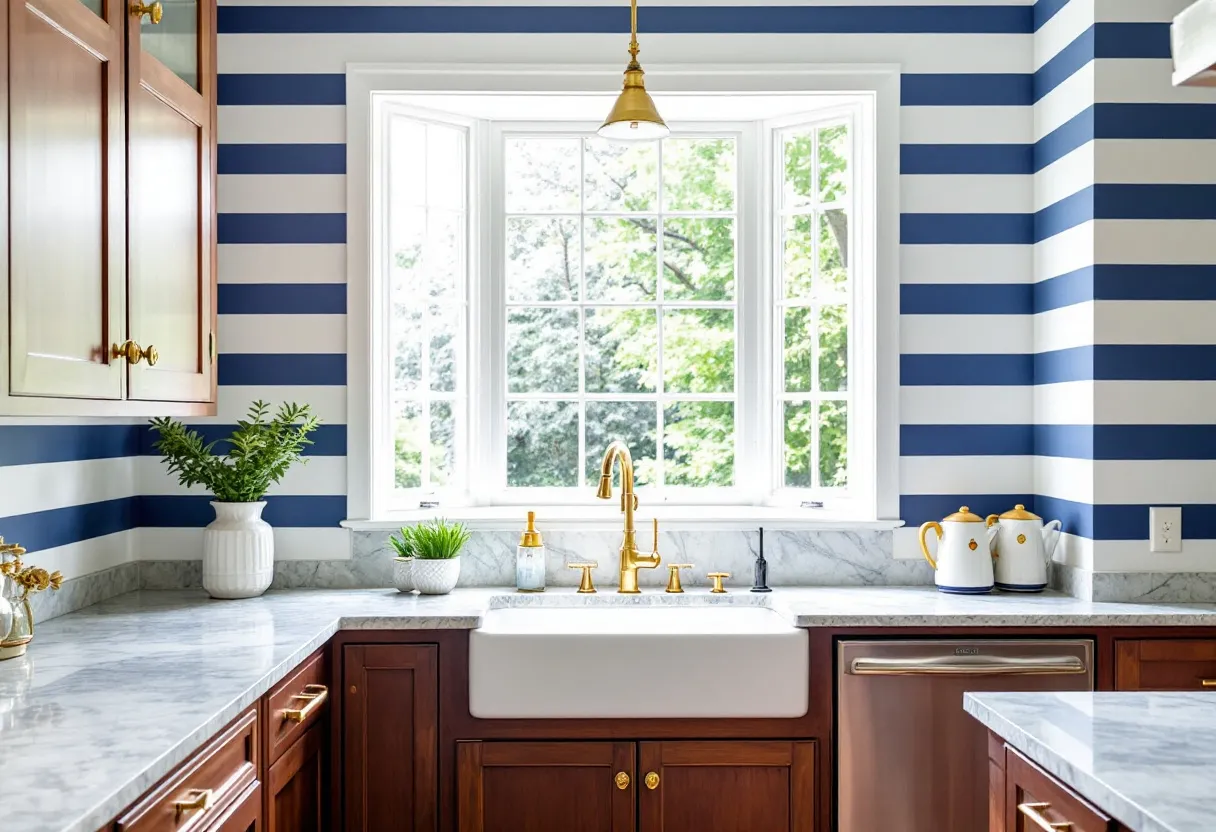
point(543, 445)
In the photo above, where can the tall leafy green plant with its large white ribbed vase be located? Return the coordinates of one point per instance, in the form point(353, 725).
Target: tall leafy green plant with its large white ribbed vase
point(239, 547)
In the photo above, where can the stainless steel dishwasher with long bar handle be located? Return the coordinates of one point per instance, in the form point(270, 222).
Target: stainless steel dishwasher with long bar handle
point(909, 757)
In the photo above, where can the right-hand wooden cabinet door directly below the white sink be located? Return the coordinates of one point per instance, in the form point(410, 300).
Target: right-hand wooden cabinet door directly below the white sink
point(727, 786)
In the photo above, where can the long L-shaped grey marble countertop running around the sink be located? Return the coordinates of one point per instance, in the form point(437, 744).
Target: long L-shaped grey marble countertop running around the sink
point(112, 698)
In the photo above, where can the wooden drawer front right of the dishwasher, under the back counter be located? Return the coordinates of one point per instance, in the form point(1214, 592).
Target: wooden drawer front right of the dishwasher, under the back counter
point(1166, 665)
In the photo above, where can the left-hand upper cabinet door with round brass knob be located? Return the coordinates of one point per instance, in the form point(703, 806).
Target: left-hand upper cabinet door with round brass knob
point(67, 182)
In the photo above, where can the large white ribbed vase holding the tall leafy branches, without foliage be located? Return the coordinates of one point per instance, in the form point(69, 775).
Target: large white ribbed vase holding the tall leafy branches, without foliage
point(239, 552)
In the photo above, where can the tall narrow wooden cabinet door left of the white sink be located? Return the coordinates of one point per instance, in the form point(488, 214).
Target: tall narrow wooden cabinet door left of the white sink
point(391, 743)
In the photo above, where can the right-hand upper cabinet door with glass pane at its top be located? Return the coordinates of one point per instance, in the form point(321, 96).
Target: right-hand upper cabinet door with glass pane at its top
point(172, 235)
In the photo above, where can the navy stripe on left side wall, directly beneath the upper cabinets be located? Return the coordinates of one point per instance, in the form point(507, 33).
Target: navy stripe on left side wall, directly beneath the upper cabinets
point(33, 445)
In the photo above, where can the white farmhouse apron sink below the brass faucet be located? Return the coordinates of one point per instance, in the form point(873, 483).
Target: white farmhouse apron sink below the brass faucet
point(641, 662)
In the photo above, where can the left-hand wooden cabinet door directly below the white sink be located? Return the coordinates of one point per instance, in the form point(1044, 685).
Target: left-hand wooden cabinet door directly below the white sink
point(547, 786)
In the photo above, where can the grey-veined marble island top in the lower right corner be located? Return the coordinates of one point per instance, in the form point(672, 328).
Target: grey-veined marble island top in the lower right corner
point(1146, 760)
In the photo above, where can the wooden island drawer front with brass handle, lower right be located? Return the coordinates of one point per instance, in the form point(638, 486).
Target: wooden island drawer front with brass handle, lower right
point(1037, 802)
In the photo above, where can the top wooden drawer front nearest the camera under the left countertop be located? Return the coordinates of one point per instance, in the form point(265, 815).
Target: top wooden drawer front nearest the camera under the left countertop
point(205, 788)
